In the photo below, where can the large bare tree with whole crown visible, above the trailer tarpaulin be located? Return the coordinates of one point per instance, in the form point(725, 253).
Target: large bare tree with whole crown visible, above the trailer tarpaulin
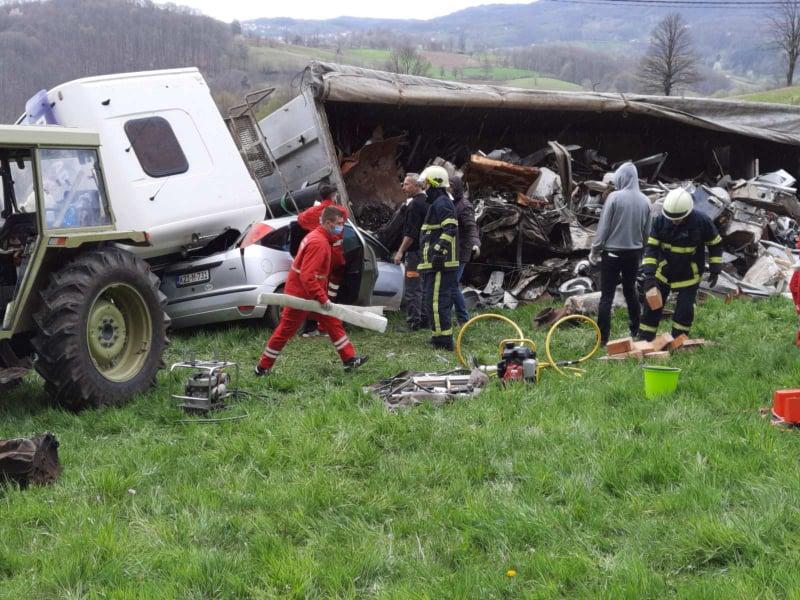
point(670, 61)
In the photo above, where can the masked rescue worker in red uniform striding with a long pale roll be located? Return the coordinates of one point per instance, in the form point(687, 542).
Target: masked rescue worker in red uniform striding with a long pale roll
point(308, 279)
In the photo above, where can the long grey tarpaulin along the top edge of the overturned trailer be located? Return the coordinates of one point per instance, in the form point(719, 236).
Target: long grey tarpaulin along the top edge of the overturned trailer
point(770, 122)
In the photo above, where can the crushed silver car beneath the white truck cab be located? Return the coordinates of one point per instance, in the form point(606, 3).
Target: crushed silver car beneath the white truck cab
point(225, 286)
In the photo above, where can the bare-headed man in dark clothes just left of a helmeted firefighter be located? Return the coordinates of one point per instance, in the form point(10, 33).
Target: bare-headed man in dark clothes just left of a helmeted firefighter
point(414, 294)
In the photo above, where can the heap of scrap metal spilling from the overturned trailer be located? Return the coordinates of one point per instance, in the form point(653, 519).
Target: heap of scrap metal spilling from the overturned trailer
point(537, 215)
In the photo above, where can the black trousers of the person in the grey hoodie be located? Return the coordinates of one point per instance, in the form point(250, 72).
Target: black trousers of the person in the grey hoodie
point(616, 265)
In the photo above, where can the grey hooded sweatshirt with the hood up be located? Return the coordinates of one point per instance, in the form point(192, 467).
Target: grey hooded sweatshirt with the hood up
point(625, 220)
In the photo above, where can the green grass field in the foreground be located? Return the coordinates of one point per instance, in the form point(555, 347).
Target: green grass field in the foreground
point(581, 486)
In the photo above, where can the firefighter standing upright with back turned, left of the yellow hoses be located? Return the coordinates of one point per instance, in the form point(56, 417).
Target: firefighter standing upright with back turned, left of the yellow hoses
point(439, 259)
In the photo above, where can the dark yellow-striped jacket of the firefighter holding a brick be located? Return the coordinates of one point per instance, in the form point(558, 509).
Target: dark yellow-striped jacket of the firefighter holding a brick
point(675, 252)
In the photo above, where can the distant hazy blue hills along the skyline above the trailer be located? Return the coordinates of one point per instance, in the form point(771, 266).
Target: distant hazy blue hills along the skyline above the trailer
point(614, 29)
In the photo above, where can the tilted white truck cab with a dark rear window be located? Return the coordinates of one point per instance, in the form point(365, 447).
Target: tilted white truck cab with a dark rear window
point(171, 165)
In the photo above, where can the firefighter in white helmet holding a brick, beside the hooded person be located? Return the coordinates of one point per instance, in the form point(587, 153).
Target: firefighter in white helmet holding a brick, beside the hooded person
point(674, 261)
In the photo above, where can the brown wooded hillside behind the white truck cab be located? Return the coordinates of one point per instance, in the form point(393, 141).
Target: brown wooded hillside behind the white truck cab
point(45, 43)
